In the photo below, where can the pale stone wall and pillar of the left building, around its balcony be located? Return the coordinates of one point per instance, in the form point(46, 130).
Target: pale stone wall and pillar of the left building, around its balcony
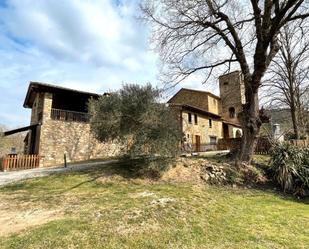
point(73, 138)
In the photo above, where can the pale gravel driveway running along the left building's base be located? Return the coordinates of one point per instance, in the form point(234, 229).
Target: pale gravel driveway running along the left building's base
point(14, 176)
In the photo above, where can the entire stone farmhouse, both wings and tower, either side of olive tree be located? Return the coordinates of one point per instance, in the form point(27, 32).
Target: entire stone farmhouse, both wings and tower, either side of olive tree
point(60, 122)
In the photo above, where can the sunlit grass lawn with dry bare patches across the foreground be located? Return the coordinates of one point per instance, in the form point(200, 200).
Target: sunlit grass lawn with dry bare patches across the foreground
point(103, 207)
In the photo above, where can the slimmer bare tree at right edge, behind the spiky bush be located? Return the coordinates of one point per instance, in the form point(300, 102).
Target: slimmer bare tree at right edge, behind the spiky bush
point(288, 82)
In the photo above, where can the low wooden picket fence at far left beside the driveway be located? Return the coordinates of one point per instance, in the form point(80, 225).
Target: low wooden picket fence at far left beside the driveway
point(19, 162)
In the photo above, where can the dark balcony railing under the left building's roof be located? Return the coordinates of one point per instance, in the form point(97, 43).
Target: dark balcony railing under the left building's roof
point(69, 116)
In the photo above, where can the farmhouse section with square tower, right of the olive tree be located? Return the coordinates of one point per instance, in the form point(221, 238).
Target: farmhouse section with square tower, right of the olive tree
point(205, 118)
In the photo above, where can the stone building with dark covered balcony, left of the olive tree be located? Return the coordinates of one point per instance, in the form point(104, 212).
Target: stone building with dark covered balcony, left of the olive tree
point(62, 131)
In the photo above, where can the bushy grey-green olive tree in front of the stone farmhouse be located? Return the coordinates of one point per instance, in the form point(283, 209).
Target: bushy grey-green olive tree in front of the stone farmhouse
point(134, 115)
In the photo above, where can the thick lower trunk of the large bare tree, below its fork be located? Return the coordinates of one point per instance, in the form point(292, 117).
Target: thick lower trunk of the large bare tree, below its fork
point(251, 127)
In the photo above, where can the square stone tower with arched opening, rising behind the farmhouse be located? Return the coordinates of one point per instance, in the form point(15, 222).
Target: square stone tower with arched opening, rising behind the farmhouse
point(232, 93)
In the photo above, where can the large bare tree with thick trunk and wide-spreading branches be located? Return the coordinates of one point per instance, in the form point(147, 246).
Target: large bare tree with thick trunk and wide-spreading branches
point(202, 35)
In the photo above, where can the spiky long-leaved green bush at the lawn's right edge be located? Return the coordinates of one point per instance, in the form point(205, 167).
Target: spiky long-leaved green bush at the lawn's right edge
point(290, 168)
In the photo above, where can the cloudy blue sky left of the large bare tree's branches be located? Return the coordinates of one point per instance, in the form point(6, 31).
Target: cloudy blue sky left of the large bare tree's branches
point(94, 46)
